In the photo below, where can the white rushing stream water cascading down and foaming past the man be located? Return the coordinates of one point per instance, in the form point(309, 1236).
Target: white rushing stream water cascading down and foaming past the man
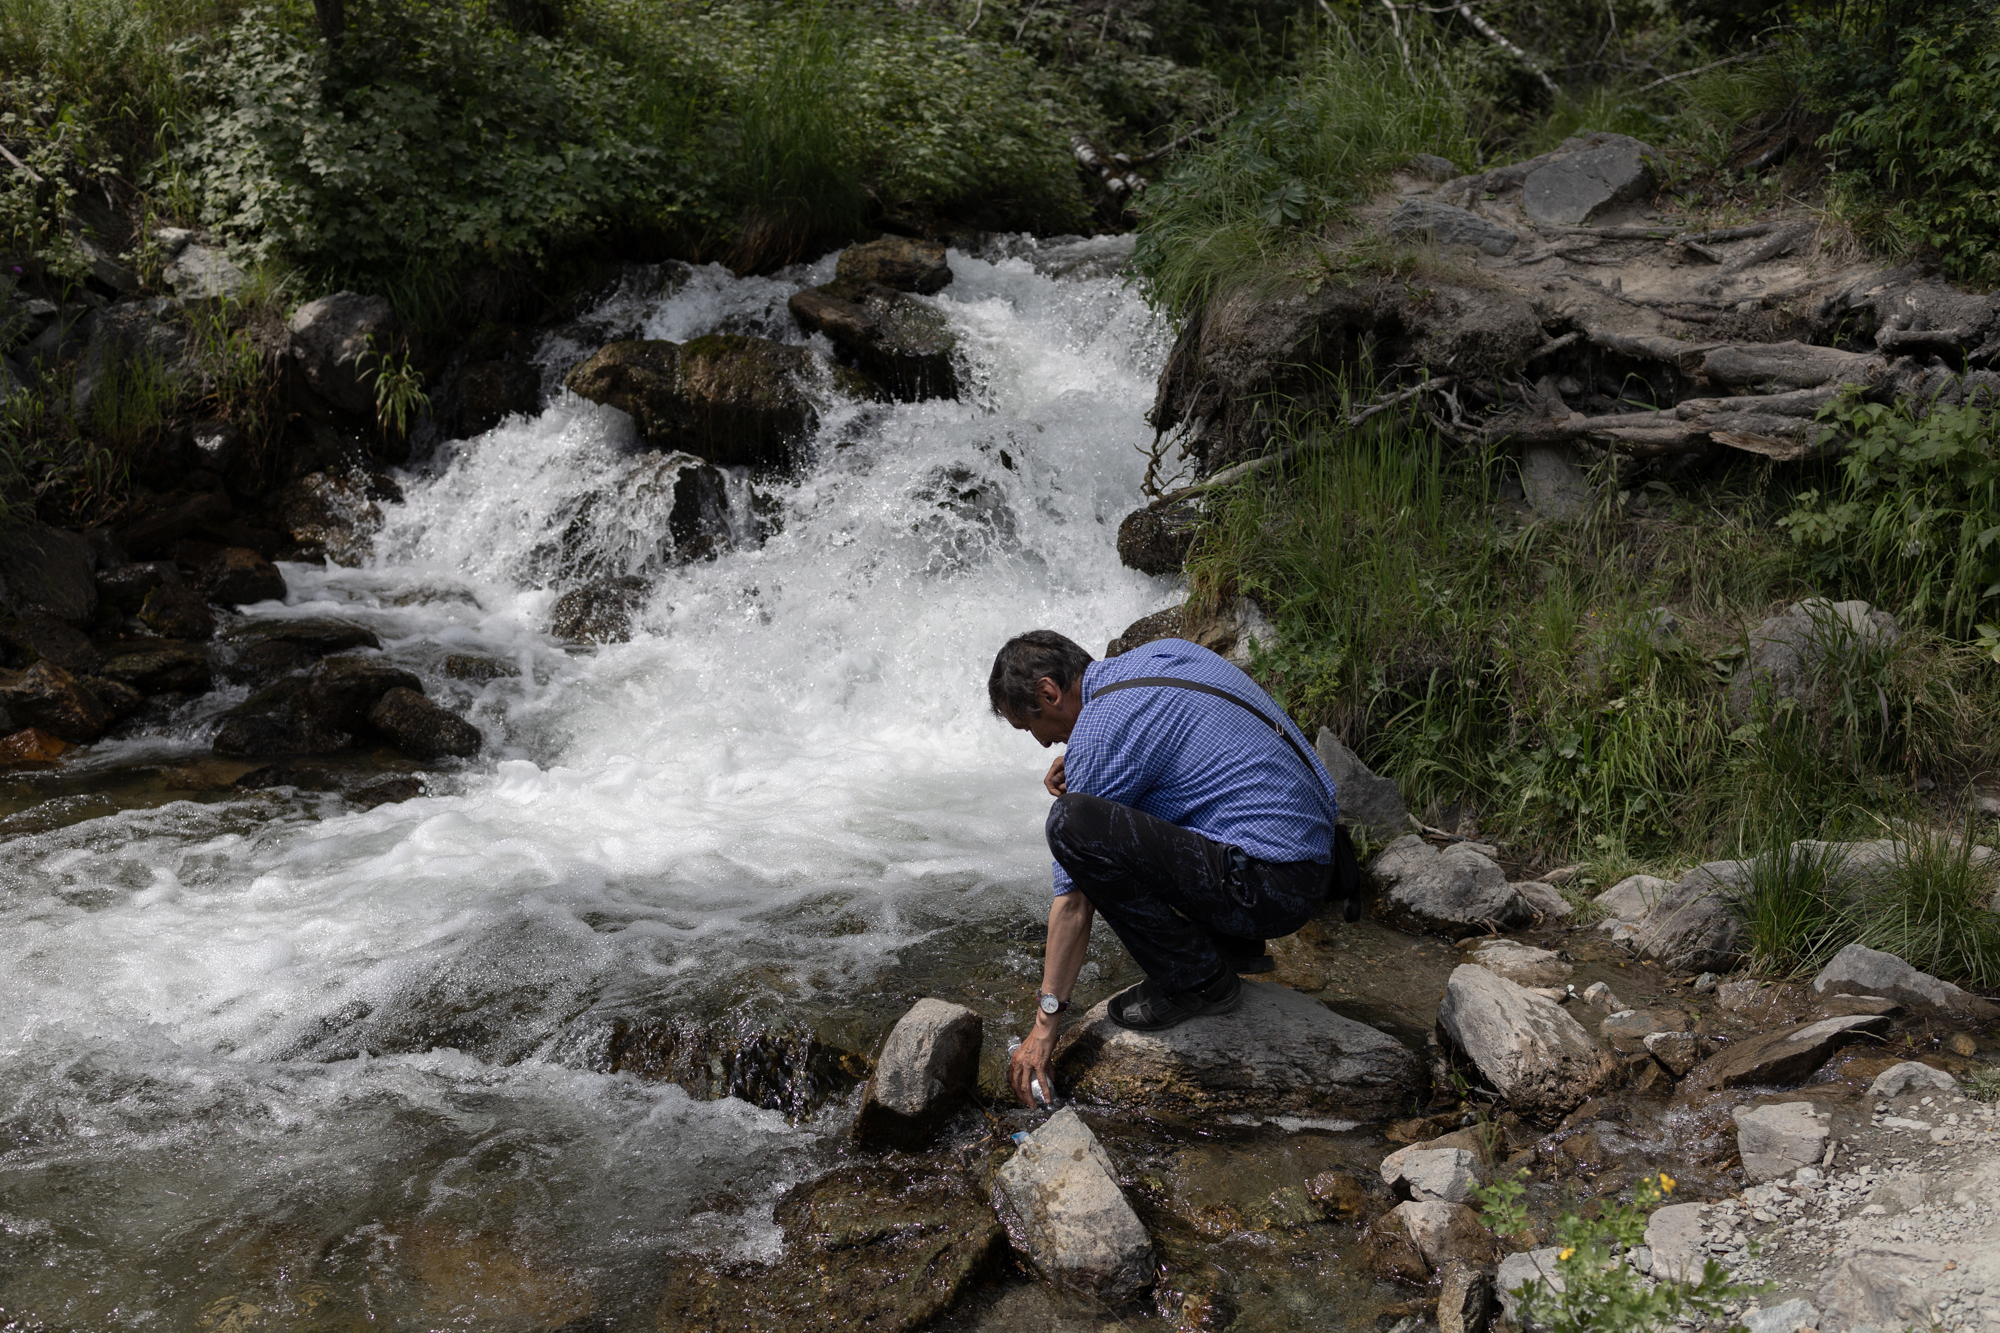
point(327, 1064)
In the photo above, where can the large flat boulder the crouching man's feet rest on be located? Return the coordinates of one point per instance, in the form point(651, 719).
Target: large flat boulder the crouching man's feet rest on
point(1279, 1054)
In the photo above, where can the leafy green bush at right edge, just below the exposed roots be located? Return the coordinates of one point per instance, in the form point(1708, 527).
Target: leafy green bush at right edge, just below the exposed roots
point(1917, 517)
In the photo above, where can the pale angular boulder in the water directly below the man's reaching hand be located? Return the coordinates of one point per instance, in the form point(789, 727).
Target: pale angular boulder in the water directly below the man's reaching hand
point(1063, 1210)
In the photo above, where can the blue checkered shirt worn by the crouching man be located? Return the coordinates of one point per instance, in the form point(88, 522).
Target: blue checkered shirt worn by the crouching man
point(1199, 762)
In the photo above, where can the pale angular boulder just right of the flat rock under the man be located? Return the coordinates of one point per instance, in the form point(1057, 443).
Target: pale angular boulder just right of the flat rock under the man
point(1527, 1048)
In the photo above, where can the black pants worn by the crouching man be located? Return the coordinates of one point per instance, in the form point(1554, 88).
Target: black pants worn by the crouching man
point(1181, 904)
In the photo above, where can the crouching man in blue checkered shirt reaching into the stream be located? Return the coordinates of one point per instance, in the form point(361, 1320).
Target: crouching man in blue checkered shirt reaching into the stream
point(1189, 812)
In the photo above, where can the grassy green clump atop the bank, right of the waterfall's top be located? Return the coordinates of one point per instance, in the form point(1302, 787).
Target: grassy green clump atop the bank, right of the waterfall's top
point(1281, 179)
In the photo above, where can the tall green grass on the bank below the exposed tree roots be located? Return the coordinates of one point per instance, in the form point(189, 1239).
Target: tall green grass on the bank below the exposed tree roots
point(1479, 657)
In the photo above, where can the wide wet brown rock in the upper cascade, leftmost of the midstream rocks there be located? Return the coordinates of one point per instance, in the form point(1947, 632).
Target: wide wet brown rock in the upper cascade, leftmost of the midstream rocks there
point(729, 399)
